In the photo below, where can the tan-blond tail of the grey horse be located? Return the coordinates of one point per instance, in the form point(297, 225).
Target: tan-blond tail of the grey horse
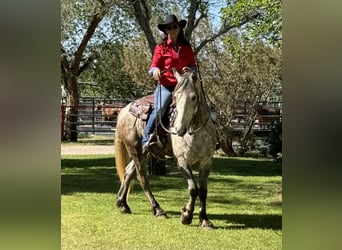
point(121, 157)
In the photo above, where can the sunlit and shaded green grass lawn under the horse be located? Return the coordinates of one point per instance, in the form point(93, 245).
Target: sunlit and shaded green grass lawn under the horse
point(244, 203)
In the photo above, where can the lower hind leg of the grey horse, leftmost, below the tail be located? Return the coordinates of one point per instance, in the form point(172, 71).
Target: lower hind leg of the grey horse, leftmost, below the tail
point(121, 201)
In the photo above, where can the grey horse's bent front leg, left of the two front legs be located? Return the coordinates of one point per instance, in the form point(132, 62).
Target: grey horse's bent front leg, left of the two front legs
point(188, 209)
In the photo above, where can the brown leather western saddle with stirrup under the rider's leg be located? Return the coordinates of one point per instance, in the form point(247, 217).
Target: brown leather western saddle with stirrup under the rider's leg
point(141, 109)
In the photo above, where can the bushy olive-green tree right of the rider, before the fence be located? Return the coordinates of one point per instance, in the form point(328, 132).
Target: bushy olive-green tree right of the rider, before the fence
point(243, 71)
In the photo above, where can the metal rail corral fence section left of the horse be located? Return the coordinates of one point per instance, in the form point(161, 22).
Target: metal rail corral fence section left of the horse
point(96, 115)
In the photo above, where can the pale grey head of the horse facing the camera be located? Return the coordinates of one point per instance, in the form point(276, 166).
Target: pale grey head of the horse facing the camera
point(186, 98)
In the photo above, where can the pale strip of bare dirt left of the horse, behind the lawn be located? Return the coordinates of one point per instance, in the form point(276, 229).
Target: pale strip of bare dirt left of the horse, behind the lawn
point(86, 149)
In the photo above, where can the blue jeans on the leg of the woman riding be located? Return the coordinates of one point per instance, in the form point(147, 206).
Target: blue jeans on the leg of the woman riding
point(162, 99)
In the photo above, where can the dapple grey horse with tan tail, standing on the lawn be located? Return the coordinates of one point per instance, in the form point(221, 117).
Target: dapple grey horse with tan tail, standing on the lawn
point(192, 142)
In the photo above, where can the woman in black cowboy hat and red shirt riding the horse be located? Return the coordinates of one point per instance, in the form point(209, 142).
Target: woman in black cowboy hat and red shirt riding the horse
point(173, 52)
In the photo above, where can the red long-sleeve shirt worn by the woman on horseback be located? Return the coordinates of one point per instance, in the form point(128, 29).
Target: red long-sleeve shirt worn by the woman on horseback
point(165, 58)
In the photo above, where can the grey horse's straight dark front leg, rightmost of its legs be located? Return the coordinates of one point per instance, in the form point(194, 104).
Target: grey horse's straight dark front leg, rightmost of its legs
point(203, 190)
